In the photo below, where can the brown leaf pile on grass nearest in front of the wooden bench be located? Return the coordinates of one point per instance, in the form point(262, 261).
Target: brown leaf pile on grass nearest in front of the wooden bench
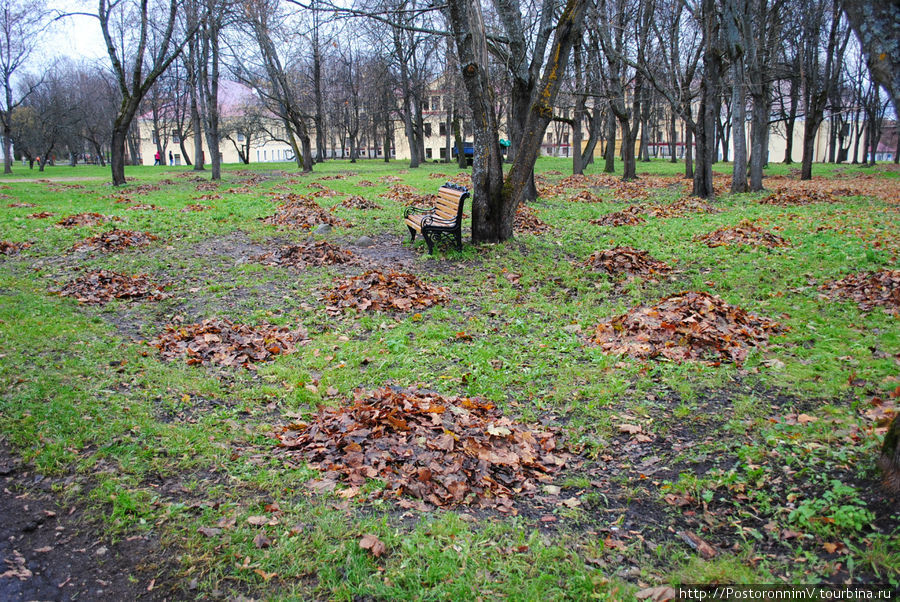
point(377, 291)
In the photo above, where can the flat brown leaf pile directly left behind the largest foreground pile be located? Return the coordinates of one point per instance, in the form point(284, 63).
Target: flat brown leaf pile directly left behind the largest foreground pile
point(223, 342)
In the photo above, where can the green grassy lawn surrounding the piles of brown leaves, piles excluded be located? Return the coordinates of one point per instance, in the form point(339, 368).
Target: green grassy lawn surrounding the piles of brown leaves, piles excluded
point(770, 461)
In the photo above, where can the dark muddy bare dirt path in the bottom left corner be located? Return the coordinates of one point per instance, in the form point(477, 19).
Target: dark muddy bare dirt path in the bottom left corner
point(50, 552)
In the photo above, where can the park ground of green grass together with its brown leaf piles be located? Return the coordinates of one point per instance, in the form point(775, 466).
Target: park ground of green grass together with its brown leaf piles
point(603, 405)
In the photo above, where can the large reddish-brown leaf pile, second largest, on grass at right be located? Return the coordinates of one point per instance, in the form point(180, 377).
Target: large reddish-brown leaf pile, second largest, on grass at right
point(692, 325)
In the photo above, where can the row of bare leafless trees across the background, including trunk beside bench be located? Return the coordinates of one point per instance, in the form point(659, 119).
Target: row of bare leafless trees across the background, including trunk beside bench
point(695, 76)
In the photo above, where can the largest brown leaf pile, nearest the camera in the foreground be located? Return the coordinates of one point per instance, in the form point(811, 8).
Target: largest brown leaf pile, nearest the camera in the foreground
point(443, 450)
